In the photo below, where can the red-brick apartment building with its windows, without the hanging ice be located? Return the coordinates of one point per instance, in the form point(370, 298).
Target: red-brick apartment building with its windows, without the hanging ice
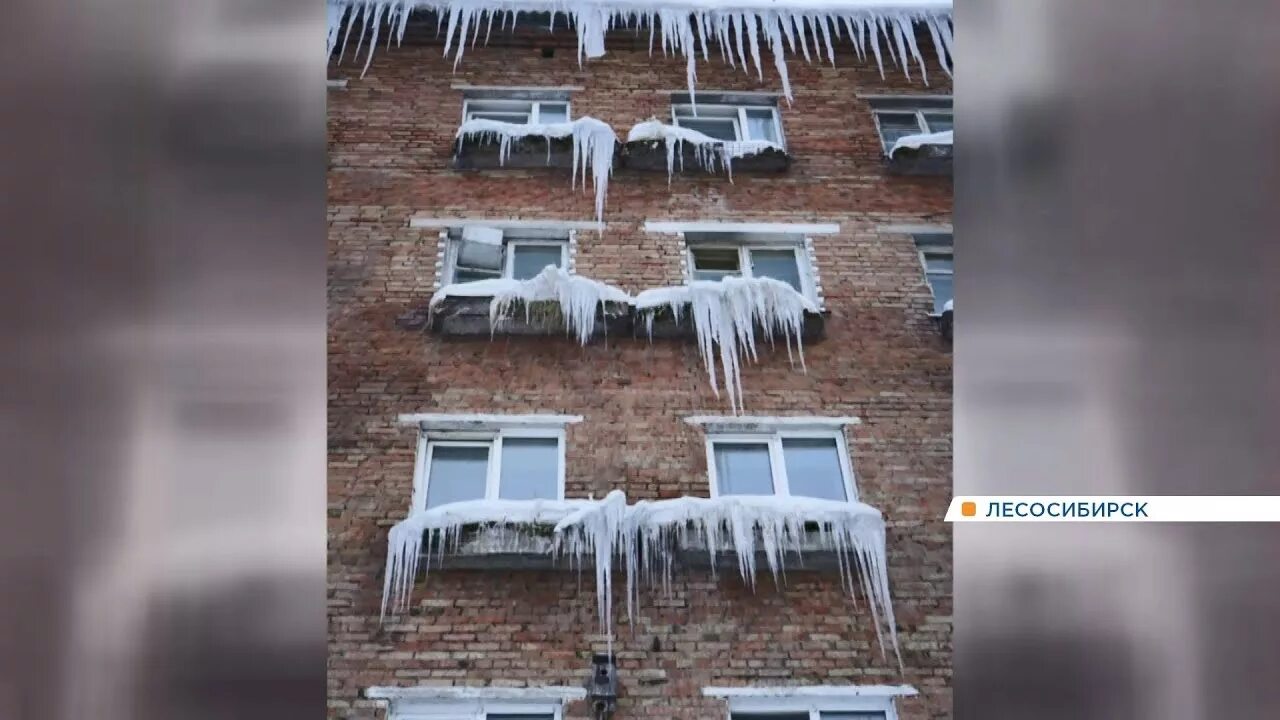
point(431, 407)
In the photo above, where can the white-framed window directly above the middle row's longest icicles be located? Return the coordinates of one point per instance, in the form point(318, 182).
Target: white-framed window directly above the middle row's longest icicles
point(715, 258)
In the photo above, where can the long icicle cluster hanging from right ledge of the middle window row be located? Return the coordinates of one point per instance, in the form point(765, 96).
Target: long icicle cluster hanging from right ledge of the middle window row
point(725, 315)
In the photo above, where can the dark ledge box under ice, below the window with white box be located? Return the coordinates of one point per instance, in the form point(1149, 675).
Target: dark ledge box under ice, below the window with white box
point(469, 317)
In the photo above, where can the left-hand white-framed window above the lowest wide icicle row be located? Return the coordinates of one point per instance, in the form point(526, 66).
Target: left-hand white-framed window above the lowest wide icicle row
point(523, 464)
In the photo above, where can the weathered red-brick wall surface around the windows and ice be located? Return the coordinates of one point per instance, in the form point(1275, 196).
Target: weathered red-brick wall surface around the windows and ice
point(390, 144)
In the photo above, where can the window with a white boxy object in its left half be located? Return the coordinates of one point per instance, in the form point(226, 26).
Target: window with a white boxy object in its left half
point(481, 254)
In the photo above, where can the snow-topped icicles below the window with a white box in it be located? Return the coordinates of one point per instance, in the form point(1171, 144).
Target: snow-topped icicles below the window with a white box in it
point(578, 298)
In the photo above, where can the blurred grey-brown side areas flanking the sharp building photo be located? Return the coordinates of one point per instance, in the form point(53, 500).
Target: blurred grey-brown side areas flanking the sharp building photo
point(163, 389)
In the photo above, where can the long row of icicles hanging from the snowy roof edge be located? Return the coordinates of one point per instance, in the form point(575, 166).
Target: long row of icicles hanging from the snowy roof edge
point(683, 28)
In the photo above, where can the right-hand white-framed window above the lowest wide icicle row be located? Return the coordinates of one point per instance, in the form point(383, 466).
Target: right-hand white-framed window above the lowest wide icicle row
point(811, 464)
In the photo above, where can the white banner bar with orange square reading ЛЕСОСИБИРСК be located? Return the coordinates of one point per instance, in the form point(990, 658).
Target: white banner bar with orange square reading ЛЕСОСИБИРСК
point(1114, 509)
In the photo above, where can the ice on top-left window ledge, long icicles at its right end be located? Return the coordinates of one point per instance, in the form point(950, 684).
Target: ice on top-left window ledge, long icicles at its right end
point(593, 147)
